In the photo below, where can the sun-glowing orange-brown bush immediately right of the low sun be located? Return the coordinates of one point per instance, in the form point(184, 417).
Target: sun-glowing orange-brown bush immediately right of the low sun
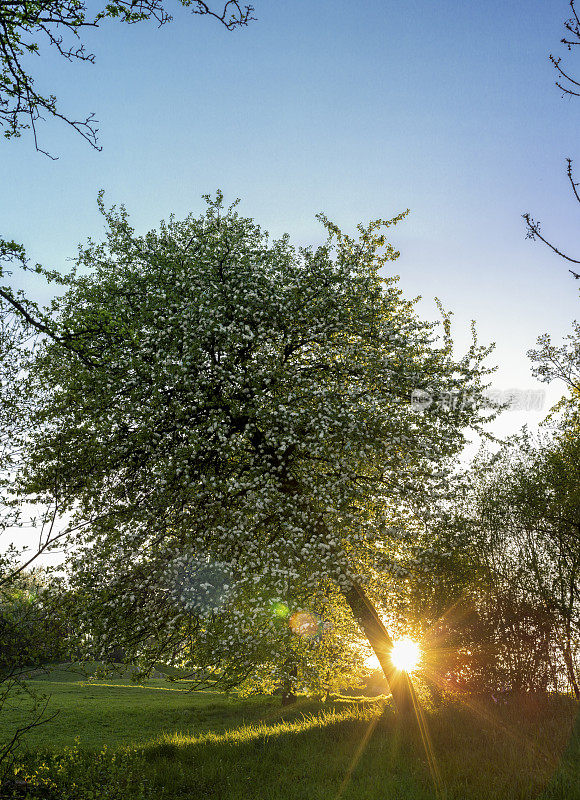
point(479, 633)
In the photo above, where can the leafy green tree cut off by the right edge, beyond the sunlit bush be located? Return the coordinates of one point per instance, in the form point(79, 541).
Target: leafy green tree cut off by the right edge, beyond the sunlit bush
point(526, 514)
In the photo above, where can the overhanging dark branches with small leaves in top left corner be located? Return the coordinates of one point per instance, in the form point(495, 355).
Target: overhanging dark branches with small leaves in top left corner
point(25, 26)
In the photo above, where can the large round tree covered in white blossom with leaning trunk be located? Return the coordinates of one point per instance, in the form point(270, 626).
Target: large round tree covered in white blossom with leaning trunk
point(235, 418)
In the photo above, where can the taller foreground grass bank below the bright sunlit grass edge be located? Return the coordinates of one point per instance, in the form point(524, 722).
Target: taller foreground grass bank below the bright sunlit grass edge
point(518, 751)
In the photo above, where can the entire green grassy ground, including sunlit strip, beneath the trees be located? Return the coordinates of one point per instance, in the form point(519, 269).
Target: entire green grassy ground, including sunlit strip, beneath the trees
point(206, 746)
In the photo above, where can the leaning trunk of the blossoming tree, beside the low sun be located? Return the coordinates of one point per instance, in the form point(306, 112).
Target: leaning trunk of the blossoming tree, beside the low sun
point(379, 639)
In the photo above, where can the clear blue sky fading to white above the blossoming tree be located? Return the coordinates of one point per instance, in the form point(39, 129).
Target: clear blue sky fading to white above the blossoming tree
point(358, 110)
